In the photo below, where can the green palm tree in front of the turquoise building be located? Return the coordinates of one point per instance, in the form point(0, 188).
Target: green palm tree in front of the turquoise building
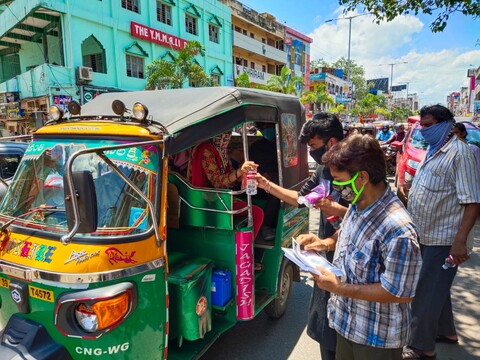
point(163, 74)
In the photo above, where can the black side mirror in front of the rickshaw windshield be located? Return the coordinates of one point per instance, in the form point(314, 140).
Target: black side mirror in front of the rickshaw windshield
point(86, 200)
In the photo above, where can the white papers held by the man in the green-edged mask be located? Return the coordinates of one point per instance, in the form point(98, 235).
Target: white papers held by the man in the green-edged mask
point(309, 260)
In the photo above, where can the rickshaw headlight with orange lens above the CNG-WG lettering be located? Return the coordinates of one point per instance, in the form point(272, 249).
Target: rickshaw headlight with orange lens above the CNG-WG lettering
point(103, 313)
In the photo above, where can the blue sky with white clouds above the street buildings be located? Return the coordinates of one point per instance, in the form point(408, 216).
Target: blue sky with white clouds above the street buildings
point(437, 63)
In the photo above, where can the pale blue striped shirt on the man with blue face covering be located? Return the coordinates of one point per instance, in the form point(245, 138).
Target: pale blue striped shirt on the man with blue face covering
point(442, 185)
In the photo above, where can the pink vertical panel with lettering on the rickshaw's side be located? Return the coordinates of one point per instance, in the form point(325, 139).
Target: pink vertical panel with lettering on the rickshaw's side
point(244, 278)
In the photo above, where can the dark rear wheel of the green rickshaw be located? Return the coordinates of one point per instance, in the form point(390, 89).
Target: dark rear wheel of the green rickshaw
point(278, 306)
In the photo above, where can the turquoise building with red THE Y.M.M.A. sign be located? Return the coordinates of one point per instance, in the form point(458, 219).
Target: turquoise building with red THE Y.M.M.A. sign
point(52, 51)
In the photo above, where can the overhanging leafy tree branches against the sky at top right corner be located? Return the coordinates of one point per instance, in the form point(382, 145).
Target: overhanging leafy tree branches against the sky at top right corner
point(389, 10)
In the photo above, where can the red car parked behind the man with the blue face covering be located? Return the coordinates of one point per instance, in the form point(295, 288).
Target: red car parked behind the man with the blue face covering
point(413, 152)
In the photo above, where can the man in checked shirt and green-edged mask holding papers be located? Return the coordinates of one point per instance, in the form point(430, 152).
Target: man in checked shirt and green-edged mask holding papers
point(377, 251)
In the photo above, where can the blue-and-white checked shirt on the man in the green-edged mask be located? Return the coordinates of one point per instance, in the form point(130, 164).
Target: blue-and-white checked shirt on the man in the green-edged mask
point(376, 245)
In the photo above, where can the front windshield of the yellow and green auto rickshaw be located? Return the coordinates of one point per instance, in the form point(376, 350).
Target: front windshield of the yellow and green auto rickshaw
point(36, 198)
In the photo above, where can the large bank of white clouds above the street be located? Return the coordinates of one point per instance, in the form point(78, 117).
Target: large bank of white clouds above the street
point(431, 75)
